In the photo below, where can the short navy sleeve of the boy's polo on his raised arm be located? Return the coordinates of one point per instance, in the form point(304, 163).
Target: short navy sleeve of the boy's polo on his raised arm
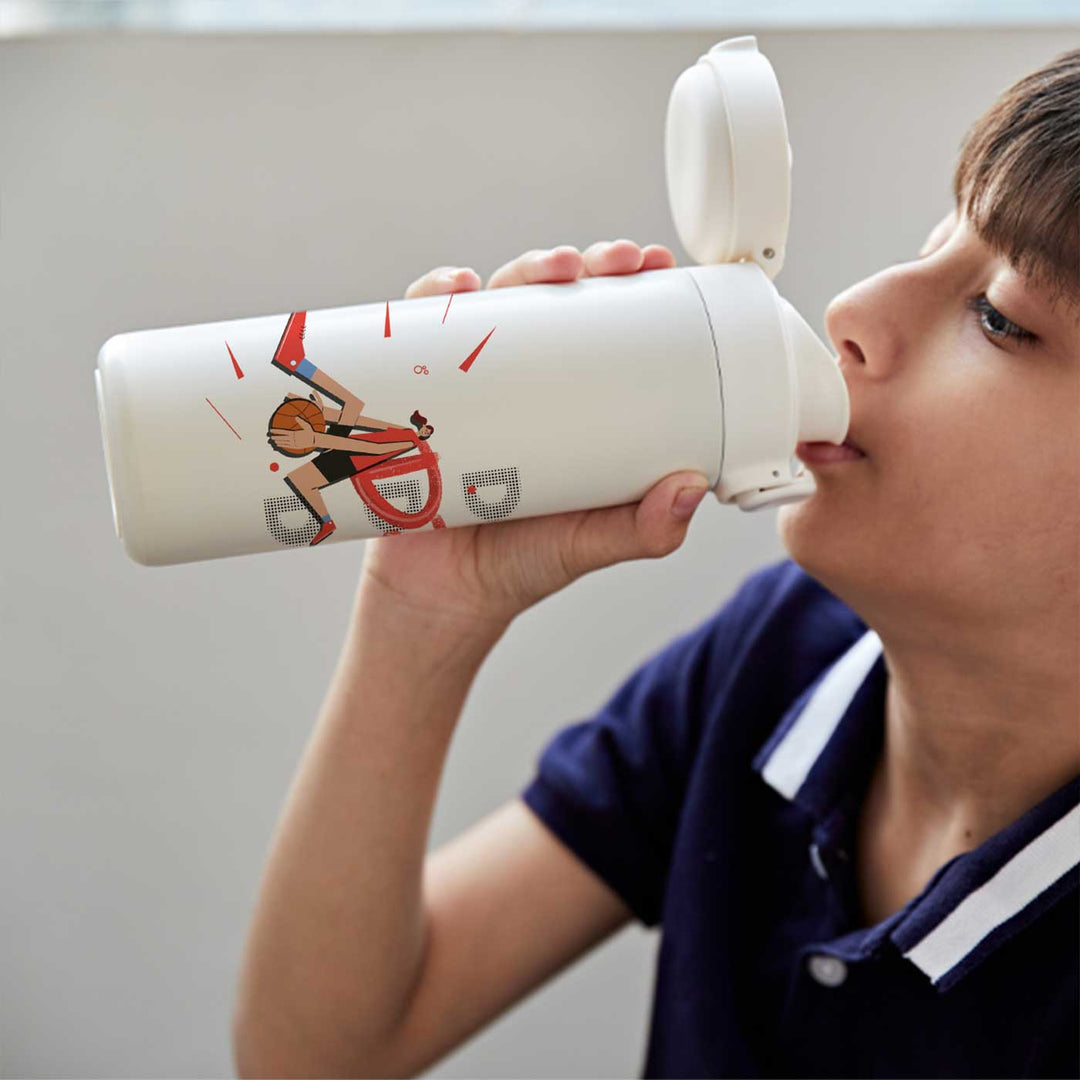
point(612, 788)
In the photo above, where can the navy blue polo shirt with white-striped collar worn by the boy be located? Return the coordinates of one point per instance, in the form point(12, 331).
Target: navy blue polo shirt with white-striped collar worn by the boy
point(718, 791)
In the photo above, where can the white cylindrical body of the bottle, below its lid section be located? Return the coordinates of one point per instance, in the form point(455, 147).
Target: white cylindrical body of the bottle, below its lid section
point(583, 395)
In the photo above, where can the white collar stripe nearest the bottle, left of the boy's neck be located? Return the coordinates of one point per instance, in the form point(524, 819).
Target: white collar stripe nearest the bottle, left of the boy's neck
point(795, 754)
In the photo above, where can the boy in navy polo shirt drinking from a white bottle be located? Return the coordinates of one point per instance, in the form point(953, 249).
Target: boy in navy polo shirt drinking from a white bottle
point(850, 795)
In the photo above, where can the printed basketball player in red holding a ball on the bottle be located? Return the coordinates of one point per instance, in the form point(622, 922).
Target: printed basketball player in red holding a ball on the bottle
point(341, 455)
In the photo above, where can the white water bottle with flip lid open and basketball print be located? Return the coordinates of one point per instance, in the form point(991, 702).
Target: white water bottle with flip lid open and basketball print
point(293, 430)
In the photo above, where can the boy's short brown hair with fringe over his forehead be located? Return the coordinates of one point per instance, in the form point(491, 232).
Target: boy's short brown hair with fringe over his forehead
point(1018, 180)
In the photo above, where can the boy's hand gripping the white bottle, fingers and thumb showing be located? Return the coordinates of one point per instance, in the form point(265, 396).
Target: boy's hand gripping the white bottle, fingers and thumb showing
point(488, 574)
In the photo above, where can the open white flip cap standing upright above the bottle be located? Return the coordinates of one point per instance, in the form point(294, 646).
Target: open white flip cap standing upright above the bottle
point(727, 158)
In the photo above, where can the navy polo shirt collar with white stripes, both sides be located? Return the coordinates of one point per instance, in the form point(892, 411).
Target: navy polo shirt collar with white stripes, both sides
point(821, 755)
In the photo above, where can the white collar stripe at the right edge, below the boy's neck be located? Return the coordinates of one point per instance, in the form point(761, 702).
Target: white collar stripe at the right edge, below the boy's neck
point(1031, 872)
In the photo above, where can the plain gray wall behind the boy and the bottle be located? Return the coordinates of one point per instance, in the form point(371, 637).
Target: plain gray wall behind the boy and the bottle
point(154, 718)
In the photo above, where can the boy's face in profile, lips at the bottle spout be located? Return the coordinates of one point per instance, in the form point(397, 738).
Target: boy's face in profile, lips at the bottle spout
point(968, 503)
